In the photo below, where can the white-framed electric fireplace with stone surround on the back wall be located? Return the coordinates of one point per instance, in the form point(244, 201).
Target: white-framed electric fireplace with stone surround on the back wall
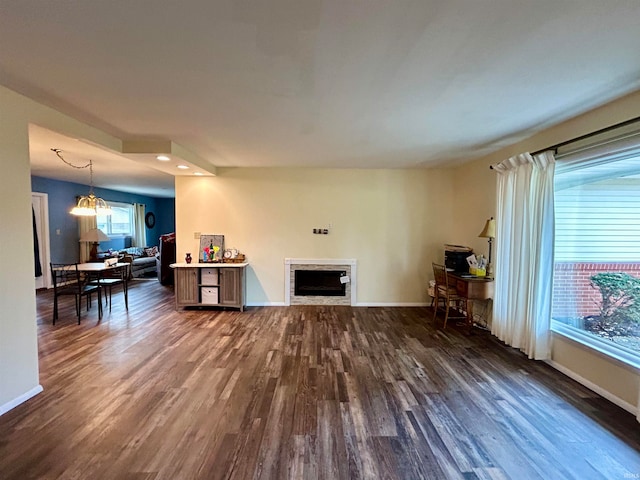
point(320, 281)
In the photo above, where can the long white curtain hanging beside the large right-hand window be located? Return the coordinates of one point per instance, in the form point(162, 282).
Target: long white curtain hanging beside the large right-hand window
point(524, 253)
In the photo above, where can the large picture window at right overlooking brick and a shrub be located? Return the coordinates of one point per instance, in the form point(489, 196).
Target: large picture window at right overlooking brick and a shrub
point(596, 292)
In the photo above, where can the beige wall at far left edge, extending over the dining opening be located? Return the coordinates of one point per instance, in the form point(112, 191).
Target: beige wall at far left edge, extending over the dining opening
point(18, 335)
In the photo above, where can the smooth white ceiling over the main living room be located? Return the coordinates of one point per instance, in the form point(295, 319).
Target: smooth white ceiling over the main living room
point(331, 83)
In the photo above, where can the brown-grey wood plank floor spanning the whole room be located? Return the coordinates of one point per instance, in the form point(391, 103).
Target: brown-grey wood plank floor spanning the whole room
point(299, 392)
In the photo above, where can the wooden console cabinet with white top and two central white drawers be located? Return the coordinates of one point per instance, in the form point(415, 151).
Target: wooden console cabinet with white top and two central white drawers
point(209, 284)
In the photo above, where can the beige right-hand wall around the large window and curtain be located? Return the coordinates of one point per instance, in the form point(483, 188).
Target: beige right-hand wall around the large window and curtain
point(607, 376)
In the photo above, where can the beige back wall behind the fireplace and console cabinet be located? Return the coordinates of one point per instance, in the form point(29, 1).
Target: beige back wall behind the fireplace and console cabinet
point(393, 222)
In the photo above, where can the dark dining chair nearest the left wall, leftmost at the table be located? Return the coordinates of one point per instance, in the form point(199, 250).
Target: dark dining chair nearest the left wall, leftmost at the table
point(67, 280)
